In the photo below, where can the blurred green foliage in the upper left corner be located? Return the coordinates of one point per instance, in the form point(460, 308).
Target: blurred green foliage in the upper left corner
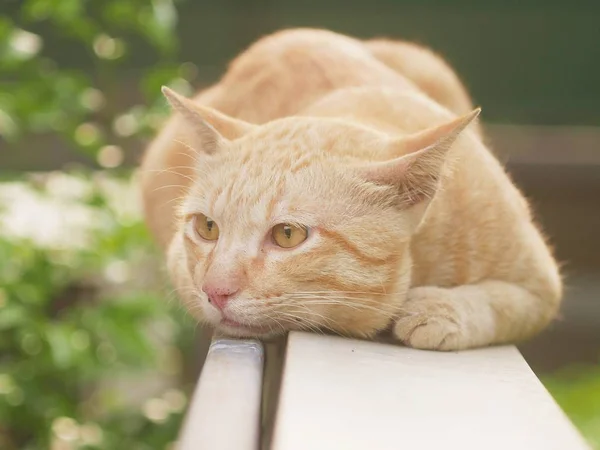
point(39, 93)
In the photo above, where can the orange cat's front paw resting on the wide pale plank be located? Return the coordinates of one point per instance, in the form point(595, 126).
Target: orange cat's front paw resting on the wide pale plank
point(429, 320)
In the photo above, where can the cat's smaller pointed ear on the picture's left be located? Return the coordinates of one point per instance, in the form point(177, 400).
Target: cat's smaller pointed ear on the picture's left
point(210, 126)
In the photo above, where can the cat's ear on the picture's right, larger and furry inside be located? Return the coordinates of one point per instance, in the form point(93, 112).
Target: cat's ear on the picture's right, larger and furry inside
point(417, 173)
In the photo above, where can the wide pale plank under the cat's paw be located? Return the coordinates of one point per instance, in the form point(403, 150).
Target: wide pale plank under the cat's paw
point(346, 394)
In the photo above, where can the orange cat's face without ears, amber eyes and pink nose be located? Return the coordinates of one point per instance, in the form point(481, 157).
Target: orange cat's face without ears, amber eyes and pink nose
point(292, 239)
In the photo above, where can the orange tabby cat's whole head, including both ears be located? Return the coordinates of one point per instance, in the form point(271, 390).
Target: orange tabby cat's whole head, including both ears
point(301, 223)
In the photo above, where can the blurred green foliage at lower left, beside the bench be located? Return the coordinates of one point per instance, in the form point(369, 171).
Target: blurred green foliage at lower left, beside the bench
point(83, 324)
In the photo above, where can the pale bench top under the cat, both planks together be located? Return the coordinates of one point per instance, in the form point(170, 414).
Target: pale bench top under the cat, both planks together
point(346, 394)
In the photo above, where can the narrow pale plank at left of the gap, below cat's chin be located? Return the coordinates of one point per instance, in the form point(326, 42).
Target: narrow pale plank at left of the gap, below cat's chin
point(224, 413)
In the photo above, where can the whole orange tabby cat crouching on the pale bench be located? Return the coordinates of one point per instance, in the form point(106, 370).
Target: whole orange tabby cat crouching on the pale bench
point(331, 184)
